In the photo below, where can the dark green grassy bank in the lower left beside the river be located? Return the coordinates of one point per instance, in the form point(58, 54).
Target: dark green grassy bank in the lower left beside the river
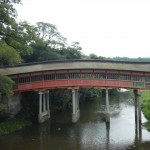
point(12, 125)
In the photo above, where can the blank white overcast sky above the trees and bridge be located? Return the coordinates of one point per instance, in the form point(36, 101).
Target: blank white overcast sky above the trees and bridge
point(108, 28)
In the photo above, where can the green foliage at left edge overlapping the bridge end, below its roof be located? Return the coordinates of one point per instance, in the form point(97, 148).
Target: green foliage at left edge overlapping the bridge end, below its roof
point(6, 85)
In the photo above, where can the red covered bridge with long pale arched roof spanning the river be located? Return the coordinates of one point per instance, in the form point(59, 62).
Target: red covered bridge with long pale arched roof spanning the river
point(75, 74)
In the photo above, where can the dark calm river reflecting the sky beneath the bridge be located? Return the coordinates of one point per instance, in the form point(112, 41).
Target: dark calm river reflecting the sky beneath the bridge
point(89, 133)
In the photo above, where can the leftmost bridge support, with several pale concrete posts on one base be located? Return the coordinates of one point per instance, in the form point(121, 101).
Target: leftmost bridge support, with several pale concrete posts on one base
point(44, 110)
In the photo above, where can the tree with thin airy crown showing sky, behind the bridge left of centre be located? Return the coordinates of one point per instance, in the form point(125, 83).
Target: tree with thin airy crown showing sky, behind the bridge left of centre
point(46, 42)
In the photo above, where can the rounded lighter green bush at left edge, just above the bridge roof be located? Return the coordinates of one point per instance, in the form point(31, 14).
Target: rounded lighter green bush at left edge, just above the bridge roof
point(8, 55)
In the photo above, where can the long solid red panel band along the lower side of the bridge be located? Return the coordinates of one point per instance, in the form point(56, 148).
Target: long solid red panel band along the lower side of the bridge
point(69, 83)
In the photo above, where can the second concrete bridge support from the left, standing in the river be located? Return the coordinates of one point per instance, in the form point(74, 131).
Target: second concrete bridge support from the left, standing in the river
point(75, 106)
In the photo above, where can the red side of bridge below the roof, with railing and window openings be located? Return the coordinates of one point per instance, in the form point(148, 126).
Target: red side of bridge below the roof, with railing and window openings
point(81, 78)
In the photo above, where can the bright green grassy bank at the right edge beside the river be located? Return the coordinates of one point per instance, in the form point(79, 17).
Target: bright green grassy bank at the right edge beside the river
point(145, 96)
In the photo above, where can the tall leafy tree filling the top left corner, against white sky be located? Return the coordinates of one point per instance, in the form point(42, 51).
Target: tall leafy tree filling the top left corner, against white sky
point(16, 35)
